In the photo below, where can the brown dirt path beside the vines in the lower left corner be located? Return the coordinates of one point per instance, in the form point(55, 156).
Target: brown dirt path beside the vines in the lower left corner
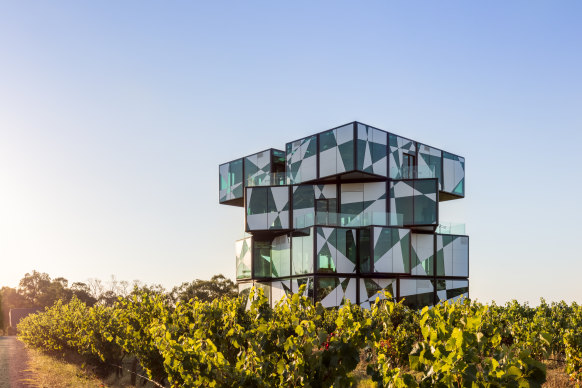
point(13, 364)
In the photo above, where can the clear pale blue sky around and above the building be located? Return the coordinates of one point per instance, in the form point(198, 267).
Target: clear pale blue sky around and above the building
point(114, 117)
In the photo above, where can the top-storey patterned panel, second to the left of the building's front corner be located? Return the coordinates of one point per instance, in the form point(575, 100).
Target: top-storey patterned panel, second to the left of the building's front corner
point(302, 160)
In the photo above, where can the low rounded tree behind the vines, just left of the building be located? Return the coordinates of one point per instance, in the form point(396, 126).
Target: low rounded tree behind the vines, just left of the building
point(205, 290)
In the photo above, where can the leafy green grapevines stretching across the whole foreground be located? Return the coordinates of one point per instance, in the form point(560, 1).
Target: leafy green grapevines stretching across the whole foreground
point(233, 342)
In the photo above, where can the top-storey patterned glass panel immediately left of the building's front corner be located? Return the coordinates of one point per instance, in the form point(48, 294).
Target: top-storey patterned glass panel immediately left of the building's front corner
point(336, 151)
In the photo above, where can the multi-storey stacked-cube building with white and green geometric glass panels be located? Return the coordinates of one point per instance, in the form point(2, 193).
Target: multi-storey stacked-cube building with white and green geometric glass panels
point(349, 212)
